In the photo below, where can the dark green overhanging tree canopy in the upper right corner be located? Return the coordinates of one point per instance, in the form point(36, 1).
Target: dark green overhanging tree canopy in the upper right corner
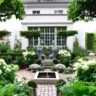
point(82, 10)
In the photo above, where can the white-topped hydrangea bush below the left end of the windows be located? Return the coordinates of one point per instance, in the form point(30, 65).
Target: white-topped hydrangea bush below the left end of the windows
point(29, 57)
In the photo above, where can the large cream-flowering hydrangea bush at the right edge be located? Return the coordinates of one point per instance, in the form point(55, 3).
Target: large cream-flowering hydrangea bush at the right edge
point(85, 70)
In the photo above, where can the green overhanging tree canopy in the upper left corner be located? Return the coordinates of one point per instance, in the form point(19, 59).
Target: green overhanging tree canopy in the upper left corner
point(11, 7)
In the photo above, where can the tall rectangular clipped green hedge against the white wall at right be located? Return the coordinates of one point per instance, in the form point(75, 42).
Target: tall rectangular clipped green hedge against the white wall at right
point(90, 41)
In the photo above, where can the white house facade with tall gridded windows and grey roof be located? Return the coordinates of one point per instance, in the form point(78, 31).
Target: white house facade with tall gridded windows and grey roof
point(48, 17)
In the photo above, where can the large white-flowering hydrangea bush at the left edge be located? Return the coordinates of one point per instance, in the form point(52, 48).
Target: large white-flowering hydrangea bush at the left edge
point(7, 72)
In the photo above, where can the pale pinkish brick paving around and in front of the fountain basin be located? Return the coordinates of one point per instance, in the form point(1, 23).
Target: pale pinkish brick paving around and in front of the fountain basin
point(42, 89)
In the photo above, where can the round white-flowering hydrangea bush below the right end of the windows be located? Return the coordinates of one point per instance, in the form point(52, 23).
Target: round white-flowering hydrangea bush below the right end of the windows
point(64, 56)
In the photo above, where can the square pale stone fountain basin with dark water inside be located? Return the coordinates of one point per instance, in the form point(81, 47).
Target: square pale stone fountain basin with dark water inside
point(42, 77)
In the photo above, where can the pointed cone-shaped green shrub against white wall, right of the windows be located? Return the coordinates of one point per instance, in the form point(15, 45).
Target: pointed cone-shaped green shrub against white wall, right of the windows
point(77, 50)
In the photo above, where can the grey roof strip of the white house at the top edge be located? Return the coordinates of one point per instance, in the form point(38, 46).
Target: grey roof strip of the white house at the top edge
point(47, 1)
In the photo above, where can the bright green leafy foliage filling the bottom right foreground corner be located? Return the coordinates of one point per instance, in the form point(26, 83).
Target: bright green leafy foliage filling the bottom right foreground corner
point(78, 89)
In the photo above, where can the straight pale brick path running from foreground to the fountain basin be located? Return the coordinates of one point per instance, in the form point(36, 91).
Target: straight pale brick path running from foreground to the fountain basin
point(46, 90)
